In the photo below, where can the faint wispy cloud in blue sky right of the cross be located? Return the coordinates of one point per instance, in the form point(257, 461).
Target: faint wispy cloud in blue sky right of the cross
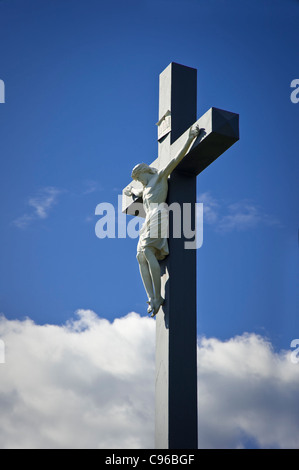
point(225, 217)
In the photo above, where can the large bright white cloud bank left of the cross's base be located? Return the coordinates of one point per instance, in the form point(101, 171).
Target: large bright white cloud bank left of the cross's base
point(88, 383)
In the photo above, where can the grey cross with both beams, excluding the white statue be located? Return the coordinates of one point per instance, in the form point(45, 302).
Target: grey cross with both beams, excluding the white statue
point(176, 333)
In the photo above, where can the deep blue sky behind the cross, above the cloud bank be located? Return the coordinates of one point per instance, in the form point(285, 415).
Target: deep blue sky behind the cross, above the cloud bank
point(81, 103)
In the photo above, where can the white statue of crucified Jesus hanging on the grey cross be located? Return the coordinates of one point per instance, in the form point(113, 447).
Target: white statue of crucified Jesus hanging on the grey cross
point(151, 249)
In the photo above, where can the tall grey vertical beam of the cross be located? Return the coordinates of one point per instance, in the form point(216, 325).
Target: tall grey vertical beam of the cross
point(176, 369)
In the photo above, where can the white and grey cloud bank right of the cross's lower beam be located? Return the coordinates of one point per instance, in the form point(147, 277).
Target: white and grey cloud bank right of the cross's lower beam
point(246, 391)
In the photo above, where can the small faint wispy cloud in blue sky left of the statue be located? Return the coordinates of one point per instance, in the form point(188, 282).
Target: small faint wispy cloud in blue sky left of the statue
point(40, 206)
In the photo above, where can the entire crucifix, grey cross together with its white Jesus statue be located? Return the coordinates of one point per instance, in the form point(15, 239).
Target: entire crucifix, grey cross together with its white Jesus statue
point(186, 146)
